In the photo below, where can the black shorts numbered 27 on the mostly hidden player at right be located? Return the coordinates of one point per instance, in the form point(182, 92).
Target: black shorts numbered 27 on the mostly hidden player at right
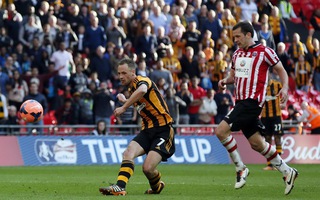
point(273, 125)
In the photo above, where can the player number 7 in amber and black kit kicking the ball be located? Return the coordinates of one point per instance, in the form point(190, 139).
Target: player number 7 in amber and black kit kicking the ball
point(156, 138)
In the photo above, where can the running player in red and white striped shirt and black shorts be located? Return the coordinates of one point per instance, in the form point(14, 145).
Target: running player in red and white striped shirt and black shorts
point(249, 74)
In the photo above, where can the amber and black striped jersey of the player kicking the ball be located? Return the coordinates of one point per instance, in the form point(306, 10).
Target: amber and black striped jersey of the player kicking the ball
point(151, 107)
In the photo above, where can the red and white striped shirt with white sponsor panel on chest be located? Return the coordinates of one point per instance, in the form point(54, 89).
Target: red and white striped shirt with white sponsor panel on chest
point(251, 71)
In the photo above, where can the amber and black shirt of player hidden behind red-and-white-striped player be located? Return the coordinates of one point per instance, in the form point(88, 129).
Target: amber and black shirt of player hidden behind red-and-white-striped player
point(271, 107)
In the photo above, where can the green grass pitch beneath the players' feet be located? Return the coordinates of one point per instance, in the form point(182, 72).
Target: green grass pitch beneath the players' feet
point(182, 182)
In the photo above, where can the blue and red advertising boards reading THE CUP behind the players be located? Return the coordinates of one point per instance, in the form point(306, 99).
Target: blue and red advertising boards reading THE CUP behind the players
point(192, 147)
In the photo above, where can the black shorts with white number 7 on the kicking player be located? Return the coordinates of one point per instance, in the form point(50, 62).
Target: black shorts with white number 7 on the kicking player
point(159, 139)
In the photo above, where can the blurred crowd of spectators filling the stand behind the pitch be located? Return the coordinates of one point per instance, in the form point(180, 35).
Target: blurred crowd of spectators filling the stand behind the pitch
point(64, 54)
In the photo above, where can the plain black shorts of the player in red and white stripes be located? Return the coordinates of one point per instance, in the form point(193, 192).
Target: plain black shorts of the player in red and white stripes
point(245, 117)
